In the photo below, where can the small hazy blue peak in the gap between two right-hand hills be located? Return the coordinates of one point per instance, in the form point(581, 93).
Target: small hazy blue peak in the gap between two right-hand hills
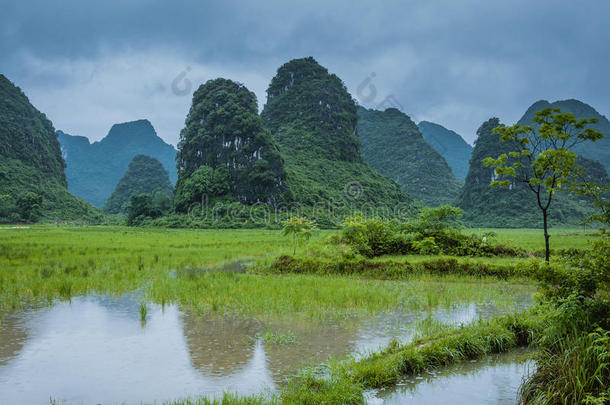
point(450, 145)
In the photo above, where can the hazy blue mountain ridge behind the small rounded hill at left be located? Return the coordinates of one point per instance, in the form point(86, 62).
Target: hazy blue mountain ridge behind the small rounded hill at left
point(94, 169)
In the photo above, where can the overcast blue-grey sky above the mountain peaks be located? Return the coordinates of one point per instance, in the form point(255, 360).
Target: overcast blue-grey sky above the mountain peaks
point(88, 65)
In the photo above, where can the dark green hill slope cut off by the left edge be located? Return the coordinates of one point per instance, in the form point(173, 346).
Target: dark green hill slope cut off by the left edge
point(31, 161)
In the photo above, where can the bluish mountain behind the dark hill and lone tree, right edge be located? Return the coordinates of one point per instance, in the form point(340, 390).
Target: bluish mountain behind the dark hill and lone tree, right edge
point(599, 150)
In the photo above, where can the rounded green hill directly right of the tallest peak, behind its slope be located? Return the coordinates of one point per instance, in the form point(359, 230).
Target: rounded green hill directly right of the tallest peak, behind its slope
point(393, 145)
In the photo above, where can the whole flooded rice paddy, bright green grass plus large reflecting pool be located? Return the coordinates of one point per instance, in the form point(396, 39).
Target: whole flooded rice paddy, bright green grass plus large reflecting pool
point(117, 314)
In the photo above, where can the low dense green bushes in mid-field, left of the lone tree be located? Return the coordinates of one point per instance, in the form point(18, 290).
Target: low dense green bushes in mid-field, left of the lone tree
point(435, 231)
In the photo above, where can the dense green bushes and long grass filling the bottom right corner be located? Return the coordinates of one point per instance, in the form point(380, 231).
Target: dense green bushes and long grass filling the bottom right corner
point(573, 365)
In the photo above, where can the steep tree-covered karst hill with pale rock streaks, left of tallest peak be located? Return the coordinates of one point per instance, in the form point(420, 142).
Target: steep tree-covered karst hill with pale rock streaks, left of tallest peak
point(223, 129)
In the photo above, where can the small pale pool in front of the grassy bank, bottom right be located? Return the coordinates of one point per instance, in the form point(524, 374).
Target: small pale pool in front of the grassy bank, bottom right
point(492, 380)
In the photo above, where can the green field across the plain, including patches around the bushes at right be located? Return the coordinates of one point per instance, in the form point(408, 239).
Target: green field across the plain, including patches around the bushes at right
point(44, 263)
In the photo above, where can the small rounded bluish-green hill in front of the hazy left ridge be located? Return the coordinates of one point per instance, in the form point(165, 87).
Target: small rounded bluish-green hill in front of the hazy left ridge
point(145, 175)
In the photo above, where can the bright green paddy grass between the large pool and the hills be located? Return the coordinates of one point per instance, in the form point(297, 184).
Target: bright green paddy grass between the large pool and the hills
point(43, 264)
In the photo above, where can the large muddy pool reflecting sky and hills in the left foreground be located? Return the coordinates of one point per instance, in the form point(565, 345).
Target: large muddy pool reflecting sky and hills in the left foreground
point(97, 350)
